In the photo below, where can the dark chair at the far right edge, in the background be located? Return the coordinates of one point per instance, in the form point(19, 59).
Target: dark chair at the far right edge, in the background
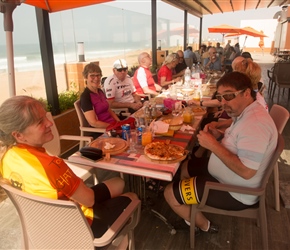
point(281, 78)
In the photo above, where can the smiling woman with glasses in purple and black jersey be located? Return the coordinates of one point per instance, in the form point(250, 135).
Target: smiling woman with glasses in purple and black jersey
point(93, 100)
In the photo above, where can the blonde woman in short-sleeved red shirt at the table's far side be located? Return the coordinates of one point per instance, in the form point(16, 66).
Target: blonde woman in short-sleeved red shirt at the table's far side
point(165, 72)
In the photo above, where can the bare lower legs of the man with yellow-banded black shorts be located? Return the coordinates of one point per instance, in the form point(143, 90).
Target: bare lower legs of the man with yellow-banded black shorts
point(183, 210)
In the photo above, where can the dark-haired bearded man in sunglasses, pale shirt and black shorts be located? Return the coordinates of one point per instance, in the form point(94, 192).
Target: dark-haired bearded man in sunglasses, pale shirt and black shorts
point(239, 156)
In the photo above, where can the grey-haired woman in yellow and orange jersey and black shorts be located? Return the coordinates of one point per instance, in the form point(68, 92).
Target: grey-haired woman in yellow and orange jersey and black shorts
point(24, 128)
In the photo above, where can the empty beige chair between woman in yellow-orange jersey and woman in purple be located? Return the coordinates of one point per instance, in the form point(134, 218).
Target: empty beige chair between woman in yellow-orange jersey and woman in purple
point(53, 148)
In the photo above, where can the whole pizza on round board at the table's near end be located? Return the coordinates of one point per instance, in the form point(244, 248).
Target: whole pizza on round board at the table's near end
point(163, 152)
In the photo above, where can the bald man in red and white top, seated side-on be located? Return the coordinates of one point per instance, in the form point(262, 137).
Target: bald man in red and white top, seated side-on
point(143, 79)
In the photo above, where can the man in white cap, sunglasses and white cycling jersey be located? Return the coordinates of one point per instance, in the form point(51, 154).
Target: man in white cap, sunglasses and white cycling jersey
point(120, 90)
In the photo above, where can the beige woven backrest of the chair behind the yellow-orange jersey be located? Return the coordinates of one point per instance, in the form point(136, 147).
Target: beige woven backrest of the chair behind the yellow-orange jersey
point(50, 224)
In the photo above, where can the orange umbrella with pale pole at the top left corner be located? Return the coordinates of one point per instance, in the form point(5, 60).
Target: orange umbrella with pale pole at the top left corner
point(7, 7)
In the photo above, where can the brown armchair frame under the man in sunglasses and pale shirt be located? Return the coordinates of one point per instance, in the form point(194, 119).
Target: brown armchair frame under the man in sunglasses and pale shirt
point(258, 213)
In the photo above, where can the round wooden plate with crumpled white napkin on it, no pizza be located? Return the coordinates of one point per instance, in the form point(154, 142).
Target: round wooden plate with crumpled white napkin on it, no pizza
point(120, 145)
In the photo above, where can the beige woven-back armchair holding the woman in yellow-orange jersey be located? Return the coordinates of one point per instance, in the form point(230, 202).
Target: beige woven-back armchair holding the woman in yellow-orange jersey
point(58, 224)
